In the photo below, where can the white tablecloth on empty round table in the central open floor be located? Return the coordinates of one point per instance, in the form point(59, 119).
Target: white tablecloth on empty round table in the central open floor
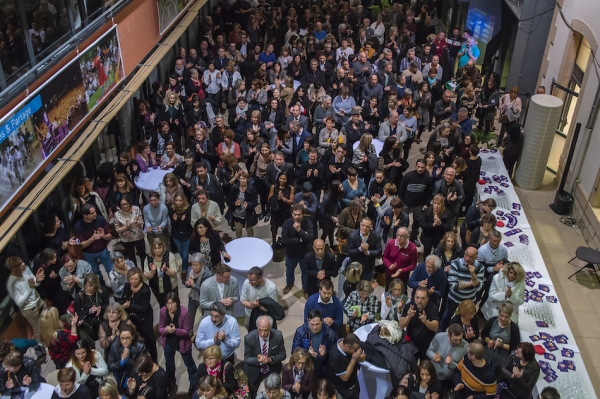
point(246, 252)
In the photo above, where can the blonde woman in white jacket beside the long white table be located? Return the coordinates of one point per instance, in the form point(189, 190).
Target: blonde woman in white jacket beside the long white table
point(508, 286)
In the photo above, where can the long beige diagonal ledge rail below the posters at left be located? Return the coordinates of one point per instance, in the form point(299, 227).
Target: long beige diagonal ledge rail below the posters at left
point(31, 202)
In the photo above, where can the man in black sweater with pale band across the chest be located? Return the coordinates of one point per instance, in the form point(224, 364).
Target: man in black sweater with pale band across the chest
point(414, 191)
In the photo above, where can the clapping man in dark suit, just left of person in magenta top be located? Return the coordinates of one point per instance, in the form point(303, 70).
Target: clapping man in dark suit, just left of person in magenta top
point(364, 246)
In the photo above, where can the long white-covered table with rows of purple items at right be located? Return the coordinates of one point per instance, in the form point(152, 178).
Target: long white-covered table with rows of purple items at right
point(542, 320)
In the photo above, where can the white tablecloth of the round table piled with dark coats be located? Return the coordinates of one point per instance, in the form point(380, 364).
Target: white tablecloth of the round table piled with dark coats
point(374, 382)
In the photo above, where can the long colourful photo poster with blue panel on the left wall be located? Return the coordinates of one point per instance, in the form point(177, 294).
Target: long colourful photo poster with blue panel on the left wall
point(31, 132)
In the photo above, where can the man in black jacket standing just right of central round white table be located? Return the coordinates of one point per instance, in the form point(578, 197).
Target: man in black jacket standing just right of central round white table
point(296, 236)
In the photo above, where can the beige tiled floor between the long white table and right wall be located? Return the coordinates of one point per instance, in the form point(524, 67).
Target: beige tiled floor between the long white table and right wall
point(579, 296)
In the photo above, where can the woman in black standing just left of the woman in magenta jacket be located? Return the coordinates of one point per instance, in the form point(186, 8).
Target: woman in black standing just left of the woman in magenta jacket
point(139, 308)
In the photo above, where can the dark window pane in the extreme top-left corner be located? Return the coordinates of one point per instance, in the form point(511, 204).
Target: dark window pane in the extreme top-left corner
point(14, 56)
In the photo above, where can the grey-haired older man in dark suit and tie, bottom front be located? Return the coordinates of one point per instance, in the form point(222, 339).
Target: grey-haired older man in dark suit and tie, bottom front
point(264, 352)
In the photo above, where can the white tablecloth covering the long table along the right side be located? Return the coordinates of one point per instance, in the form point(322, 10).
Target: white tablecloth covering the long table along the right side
point(530, 257)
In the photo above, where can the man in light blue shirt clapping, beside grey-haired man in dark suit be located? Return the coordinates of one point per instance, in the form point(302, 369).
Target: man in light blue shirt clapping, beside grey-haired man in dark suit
point(219, 329)
